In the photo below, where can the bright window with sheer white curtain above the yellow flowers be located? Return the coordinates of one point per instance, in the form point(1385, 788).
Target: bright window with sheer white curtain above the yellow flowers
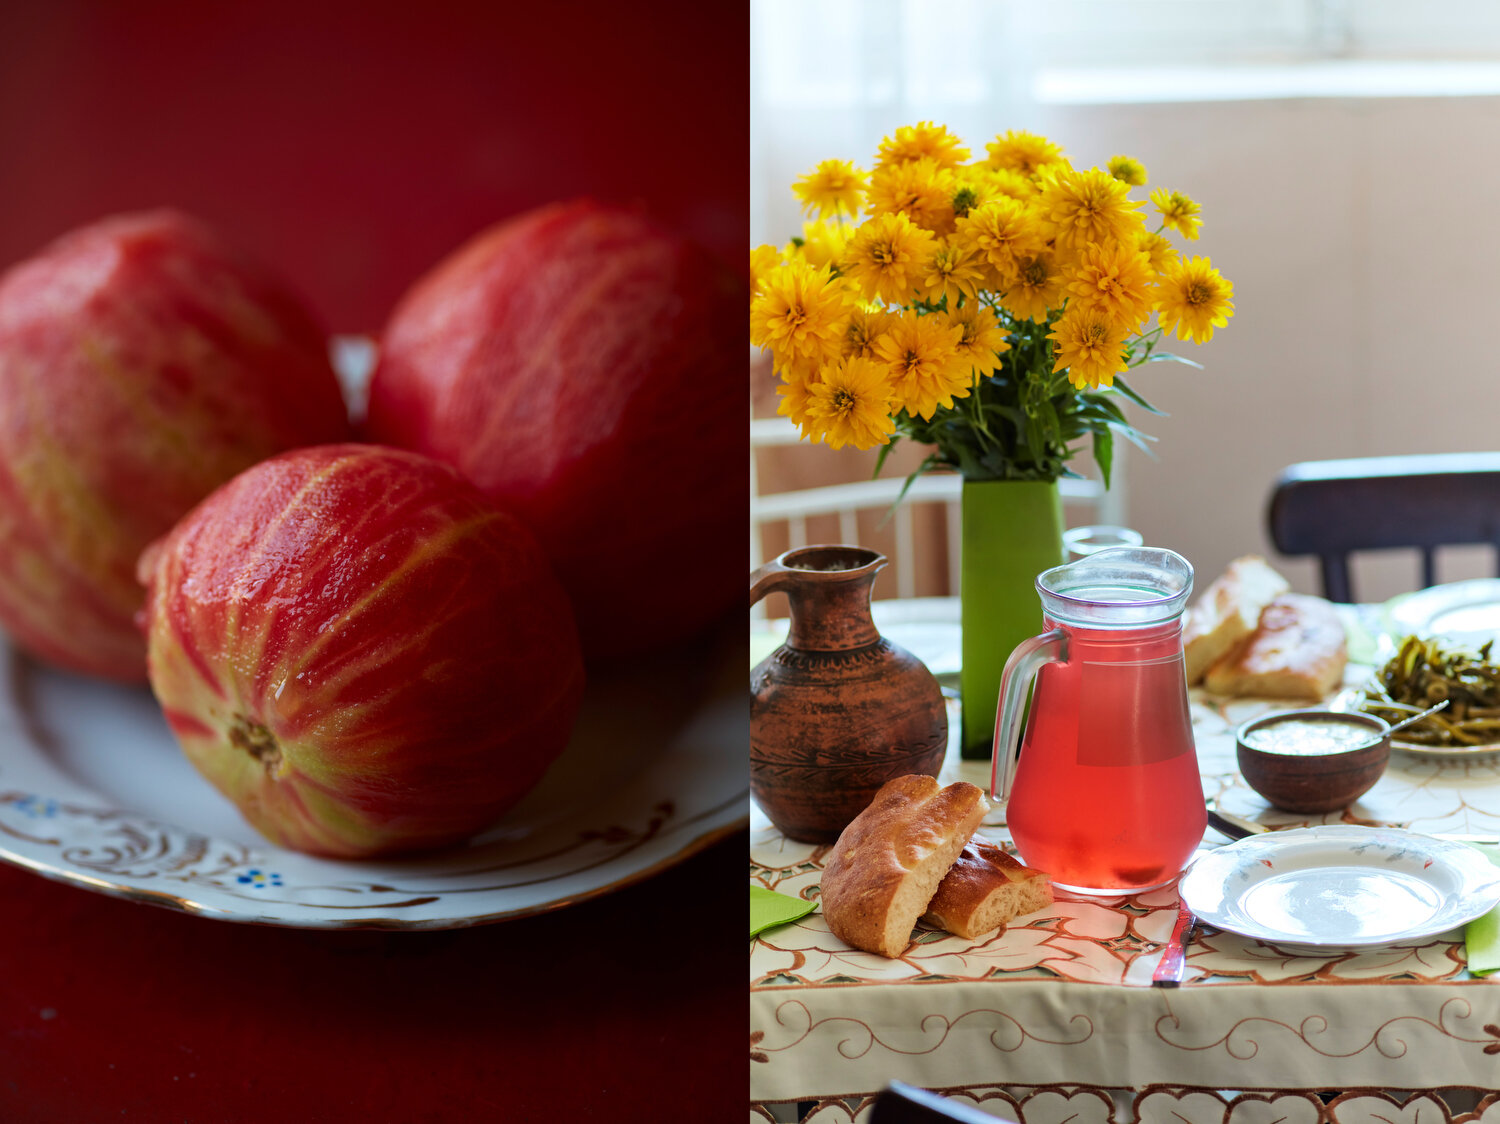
point(830, 79)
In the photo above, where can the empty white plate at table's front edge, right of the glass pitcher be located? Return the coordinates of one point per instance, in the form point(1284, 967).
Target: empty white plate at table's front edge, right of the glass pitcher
point(1342, 886)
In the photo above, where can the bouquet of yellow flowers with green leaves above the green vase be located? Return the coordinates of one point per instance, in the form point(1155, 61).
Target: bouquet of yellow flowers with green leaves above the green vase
point(986, 308)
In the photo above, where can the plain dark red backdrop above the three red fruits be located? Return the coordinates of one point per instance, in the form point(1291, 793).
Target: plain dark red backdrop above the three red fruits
point(353, 145)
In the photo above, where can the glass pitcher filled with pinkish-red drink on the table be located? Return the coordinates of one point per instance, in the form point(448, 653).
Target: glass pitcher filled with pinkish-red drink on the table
point(1106, 795)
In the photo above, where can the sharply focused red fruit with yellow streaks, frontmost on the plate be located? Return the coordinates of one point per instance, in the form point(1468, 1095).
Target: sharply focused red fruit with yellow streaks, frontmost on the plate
point(361, 651)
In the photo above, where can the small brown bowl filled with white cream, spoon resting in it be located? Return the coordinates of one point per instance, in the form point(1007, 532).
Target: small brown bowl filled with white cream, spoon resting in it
point(1307, 781)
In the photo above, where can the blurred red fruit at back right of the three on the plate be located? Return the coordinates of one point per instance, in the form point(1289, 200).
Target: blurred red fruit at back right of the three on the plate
point(586, 368)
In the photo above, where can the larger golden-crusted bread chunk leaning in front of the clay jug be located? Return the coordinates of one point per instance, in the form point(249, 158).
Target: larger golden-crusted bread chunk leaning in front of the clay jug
point(889, 862)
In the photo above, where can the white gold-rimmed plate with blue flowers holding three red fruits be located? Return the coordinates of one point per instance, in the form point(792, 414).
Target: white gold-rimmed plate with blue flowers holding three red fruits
point(95, 792)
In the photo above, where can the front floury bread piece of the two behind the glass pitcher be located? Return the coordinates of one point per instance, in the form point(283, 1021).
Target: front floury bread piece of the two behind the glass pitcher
point(1298, 652)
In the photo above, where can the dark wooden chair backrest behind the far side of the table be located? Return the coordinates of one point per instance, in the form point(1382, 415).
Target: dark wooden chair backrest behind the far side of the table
point(1333, 509)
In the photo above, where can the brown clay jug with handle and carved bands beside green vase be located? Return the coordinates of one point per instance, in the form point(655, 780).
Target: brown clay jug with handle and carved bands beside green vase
point(838, 711)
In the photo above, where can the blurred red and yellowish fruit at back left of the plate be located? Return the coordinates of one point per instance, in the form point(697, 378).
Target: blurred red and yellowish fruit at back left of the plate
point(142, 365)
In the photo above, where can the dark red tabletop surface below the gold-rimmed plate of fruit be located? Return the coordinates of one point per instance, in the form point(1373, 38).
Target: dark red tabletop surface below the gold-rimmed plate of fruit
point(631, 1008)
